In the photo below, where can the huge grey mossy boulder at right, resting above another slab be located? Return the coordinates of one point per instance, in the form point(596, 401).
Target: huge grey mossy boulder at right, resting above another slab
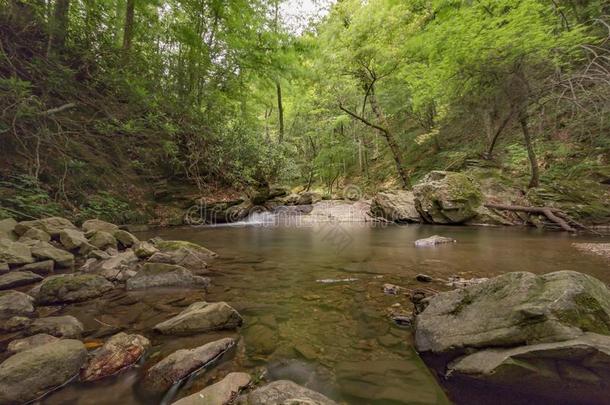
point(514, 309)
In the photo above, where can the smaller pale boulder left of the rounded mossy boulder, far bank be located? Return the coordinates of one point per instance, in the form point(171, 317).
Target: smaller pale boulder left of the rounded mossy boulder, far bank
point(395, 206)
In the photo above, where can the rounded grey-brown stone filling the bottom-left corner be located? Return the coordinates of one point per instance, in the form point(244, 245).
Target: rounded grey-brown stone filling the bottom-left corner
point(30, 374)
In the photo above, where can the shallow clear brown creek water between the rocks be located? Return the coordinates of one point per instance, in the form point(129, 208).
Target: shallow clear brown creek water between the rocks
point(333, 336)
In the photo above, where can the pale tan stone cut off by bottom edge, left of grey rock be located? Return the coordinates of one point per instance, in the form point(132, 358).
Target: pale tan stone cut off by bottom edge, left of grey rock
point(223, 392)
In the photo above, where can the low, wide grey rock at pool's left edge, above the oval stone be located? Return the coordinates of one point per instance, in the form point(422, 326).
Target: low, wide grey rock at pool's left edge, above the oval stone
point(165, 275)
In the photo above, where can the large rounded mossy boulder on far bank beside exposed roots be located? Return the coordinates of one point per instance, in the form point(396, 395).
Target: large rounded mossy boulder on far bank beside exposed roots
point(447, 198)
